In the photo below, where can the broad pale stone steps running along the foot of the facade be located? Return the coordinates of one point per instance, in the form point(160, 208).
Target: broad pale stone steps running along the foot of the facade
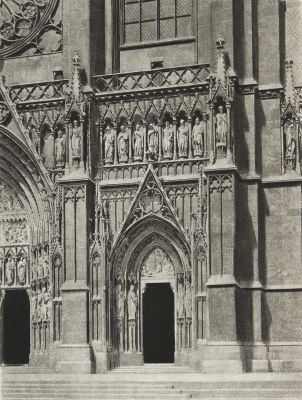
point(149, 382)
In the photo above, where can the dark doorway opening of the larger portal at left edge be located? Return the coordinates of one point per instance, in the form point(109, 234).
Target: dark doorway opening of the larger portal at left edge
point(16, 327)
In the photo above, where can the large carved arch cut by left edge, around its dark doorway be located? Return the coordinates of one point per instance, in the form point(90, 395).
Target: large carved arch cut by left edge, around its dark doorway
point(26, 231)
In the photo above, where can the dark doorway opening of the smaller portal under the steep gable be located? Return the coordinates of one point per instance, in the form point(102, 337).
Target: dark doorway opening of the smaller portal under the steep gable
point(158, 323)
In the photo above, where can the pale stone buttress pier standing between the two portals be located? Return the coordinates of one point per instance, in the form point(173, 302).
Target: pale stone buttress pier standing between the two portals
point(74, 352)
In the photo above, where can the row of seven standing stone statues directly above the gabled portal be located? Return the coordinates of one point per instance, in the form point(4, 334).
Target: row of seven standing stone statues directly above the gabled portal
point(159, 142)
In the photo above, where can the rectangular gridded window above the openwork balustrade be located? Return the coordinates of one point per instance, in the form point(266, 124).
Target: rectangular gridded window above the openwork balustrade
point(151, 20)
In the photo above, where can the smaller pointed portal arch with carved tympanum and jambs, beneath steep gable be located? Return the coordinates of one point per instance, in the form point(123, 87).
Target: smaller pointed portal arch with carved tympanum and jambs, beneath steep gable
point(150, 250)
